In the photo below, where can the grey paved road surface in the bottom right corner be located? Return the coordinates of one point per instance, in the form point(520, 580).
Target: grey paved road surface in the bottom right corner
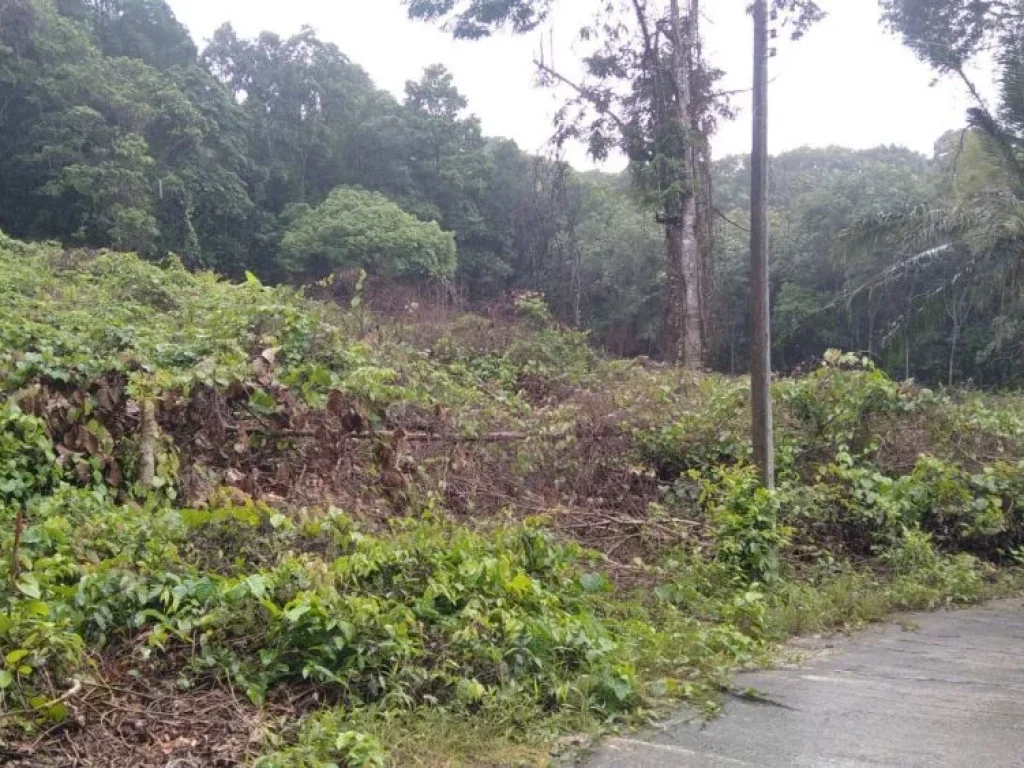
point(947, 693)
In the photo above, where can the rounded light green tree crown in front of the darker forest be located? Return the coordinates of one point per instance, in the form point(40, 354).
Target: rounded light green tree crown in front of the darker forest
point(355, 229)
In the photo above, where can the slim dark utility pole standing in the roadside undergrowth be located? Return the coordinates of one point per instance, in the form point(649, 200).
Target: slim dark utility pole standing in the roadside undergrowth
point(763, 438)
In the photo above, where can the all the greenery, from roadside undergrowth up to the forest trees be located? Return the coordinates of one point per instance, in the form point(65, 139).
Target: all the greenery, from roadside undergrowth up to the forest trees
point(334, 433)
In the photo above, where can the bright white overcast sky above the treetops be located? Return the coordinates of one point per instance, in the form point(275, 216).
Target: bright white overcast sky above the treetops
point(848, 82)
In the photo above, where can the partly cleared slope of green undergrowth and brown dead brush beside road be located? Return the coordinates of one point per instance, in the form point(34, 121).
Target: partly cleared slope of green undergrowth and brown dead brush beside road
point(242, 526)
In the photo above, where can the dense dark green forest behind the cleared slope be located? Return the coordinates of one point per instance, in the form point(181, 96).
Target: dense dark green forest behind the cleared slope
point(282, 158)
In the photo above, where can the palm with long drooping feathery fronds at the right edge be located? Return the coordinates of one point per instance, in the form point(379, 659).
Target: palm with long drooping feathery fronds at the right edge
point(963, 253)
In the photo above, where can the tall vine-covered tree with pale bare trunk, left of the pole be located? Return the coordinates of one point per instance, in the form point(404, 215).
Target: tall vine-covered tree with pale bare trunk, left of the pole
point(647, 92)
